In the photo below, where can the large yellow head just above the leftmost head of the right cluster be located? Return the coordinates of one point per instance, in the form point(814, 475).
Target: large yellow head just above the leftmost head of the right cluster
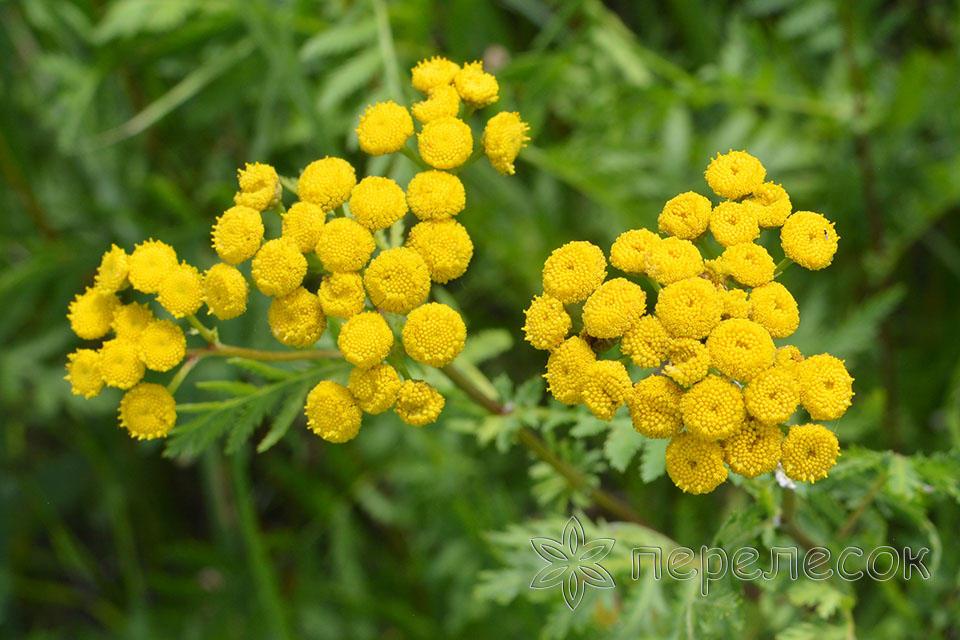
point(574, 271)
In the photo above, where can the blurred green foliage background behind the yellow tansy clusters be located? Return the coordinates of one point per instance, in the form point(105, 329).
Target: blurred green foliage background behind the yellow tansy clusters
point(127, 119)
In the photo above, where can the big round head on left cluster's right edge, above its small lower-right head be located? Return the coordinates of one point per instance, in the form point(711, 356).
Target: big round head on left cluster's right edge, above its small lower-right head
point(434, 334)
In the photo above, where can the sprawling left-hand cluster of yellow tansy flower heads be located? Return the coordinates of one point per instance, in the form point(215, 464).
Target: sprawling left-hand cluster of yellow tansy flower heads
point(372, 289)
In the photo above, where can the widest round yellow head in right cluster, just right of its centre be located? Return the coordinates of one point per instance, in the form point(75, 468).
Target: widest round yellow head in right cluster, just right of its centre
point(689, 308)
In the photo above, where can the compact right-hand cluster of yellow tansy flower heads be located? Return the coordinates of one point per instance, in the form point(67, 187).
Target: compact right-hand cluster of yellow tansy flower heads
point(714, 382)
